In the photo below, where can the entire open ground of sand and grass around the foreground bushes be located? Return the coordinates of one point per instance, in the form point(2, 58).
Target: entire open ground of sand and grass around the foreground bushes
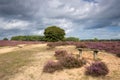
point(26, 63)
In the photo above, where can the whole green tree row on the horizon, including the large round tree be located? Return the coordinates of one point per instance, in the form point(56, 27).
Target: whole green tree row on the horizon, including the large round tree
point(51, 34)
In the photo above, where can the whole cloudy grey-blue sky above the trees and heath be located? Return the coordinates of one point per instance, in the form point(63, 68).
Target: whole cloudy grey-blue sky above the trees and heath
point(85, 19)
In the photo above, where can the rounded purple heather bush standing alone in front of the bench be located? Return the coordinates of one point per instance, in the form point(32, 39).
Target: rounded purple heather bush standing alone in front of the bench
point(97, 69)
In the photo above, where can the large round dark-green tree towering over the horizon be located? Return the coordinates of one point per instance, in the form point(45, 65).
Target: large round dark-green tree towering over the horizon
point(54, 33)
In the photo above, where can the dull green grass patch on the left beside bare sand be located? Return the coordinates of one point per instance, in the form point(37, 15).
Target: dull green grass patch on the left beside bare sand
point(12, 61)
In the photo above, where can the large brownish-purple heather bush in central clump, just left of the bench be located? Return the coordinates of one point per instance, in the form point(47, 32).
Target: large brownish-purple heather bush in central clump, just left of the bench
point(70, 61)
